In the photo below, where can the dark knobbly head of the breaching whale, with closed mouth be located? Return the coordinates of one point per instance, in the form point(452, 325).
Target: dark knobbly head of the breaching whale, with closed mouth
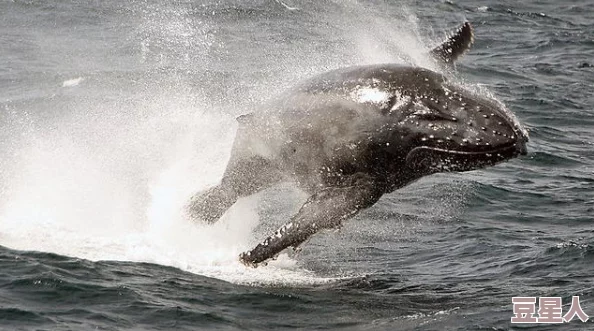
point(450, 128)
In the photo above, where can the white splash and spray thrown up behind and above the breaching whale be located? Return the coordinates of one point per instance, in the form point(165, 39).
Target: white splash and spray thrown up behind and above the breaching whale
point(106, 178)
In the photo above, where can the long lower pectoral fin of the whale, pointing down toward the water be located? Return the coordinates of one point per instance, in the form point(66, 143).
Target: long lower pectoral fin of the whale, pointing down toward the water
point(323, 210)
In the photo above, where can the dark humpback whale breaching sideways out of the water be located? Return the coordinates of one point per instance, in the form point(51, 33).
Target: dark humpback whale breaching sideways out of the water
point(348, 136)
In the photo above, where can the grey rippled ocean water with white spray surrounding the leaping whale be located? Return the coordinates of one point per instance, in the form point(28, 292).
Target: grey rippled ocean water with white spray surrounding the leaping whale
point(112, 113)
